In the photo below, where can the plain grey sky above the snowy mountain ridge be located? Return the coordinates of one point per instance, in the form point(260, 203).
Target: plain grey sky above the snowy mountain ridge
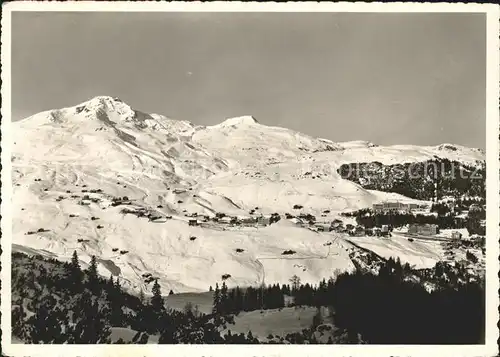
point(388, 78)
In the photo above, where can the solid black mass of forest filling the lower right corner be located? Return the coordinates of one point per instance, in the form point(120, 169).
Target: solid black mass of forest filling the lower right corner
point(387, 309)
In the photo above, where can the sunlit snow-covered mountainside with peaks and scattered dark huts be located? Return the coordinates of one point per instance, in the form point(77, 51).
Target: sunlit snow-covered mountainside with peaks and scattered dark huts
point(168, 168)
